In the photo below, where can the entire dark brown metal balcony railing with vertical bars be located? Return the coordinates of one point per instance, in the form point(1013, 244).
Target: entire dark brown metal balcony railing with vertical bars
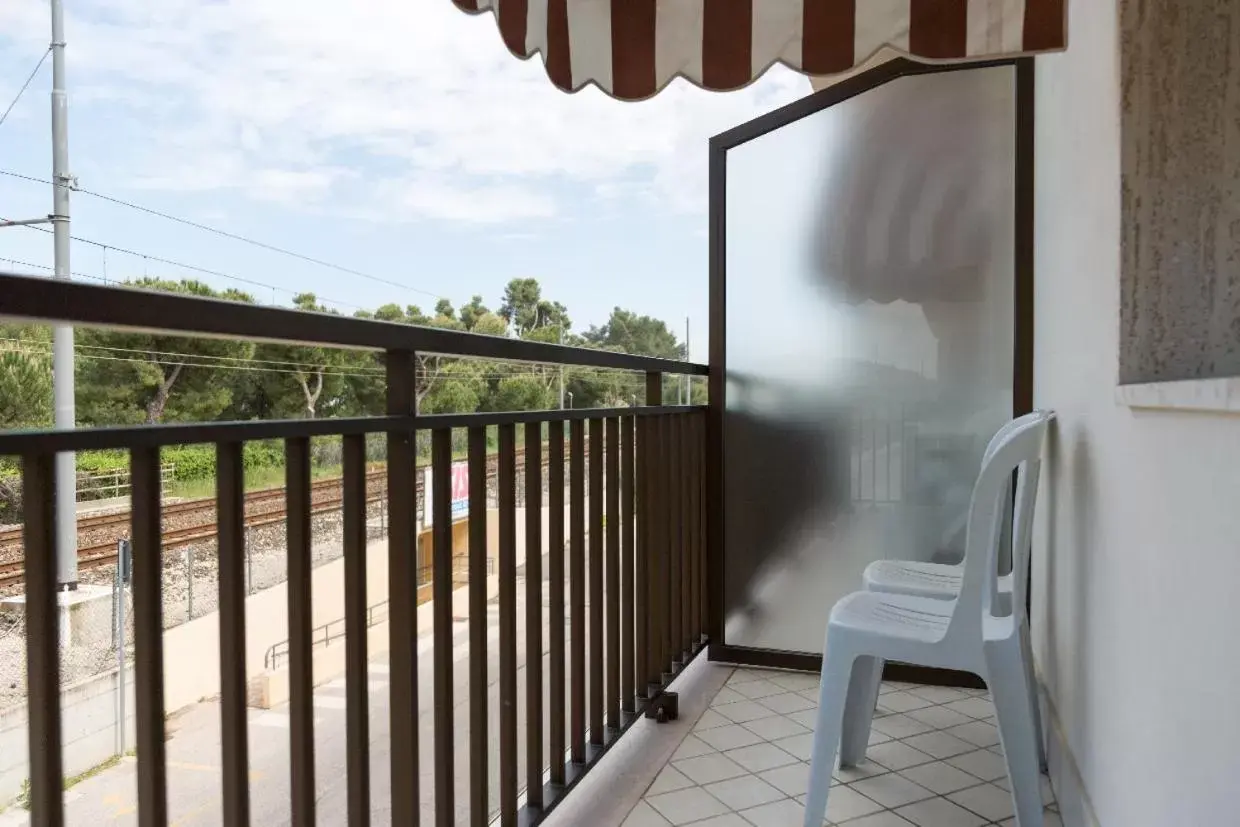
point(634, 547)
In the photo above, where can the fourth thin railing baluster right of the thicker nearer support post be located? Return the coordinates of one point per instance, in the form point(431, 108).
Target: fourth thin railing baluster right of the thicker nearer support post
point(534, 617)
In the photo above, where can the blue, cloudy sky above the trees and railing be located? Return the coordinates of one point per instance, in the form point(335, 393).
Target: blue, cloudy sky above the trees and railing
point(397, 138)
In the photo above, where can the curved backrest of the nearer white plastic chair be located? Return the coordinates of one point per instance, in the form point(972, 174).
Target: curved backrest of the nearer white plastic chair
point(1016, 448)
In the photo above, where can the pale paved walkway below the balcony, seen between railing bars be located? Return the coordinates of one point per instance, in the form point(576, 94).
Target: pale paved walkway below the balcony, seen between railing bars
point(194, 759)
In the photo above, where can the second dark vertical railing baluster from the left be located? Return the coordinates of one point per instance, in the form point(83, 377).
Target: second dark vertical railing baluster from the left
point(147, 551)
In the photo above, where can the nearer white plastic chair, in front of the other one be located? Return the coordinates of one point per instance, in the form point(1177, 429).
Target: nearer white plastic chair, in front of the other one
point(968, 634)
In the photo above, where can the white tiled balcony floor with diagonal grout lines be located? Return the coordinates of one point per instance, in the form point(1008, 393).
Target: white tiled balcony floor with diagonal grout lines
point(934, 762)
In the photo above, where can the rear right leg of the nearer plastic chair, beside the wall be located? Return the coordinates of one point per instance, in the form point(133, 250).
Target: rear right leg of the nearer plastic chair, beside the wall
point(1010, 686)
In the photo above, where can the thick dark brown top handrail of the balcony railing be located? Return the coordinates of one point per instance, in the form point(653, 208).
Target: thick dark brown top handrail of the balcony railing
point(50, 301)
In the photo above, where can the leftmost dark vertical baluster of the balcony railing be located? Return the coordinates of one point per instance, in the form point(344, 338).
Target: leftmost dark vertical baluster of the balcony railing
point(43, 645)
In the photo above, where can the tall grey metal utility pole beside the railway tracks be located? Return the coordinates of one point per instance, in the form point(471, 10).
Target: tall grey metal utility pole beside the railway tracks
point(63, 335)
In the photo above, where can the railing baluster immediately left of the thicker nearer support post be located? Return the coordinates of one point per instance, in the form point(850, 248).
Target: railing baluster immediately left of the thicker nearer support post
point(356, 671)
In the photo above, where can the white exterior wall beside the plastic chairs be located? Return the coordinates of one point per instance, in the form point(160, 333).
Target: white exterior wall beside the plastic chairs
point(1138, 545)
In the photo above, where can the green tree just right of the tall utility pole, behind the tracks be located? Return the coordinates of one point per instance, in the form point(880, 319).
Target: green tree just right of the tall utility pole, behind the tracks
point(131, 378)
